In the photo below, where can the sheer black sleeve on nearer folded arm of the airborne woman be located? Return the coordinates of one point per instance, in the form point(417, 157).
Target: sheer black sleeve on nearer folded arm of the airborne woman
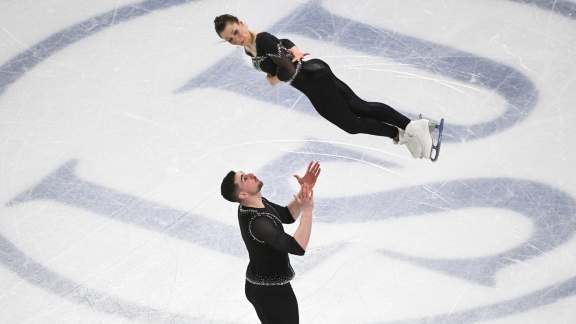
point(267, 44)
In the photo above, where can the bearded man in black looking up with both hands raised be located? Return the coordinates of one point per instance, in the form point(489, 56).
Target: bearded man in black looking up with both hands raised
point(269, 271)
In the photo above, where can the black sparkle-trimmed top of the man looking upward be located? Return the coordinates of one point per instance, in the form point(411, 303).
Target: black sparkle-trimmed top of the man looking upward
point(267, 243)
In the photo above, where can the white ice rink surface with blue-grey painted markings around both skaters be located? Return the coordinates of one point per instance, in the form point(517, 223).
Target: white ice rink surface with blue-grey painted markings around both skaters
point(118, 120)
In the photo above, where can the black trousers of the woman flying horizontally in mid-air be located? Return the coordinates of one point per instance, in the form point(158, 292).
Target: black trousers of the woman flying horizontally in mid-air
point(336, 102)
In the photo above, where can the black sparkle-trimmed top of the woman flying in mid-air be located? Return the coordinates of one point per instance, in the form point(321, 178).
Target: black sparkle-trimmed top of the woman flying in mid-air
point(273, 57)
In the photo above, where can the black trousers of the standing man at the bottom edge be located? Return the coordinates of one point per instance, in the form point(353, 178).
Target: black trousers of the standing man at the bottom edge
point(275, 304)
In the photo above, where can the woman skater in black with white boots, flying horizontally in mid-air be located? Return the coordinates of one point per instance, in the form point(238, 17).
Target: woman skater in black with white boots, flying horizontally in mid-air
point(332, 98)
